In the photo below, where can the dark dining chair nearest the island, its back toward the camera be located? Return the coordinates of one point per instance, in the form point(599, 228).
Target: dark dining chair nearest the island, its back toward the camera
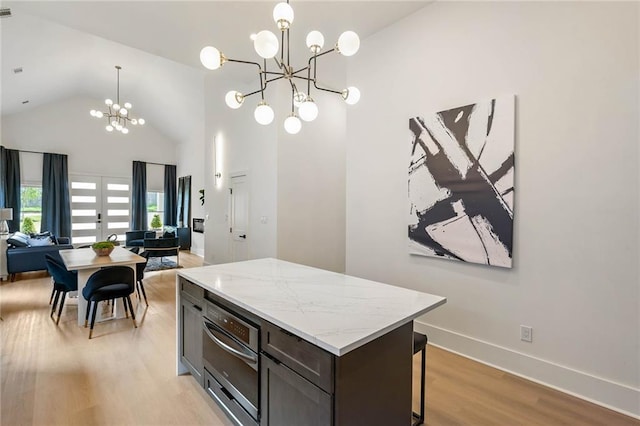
point(109, 283)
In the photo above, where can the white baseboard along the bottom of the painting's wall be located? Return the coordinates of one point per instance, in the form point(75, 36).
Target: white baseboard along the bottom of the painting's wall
point(606, 393)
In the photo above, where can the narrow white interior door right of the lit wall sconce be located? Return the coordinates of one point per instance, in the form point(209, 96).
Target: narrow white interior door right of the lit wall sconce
point(239, 214)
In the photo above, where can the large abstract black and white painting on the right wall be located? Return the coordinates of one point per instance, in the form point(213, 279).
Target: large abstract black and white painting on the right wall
point(461, 183)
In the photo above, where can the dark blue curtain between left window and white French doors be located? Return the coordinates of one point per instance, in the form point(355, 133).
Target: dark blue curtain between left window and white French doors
point(56, 207)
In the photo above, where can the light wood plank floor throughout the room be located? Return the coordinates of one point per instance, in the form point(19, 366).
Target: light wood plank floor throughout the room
point(124, 376)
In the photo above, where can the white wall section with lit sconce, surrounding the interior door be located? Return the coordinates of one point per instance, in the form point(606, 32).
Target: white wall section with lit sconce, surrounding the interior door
point(235, 143)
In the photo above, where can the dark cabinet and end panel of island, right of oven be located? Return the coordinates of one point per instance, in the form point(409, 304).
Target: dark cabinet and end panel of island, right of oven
point(304, 385)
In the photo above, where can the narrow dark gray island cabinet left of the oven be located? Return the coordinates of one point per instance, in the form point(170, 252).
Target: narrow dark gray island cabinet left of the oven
point(191, 304)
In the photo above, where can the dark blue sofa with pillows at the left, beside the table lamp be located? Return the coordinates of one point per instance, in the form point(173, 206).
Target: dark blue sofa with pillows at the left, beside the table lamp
point(28, 259)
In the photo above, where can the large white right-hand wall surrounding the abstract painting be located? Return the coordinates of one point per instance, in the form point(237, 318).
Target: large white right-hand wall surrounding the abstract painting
point(575, 280)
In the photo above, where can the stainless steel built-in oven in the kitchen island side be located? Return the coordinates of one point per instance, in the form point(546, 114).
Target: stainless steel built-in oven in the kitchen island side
point(230, 353)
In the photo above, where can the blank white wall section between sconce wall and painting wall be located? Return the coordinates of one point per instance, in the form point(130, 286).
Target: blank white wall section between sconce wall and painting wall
point(311, 176)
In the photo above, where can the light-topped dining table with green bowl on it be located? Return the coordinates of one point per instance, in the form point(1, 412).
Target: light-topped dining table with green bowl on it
point(86, 262)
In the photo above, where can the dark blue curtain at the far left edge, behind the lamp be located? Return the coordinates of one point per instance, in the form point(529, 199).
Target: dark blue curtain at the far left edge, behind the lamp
point(10, 184)
